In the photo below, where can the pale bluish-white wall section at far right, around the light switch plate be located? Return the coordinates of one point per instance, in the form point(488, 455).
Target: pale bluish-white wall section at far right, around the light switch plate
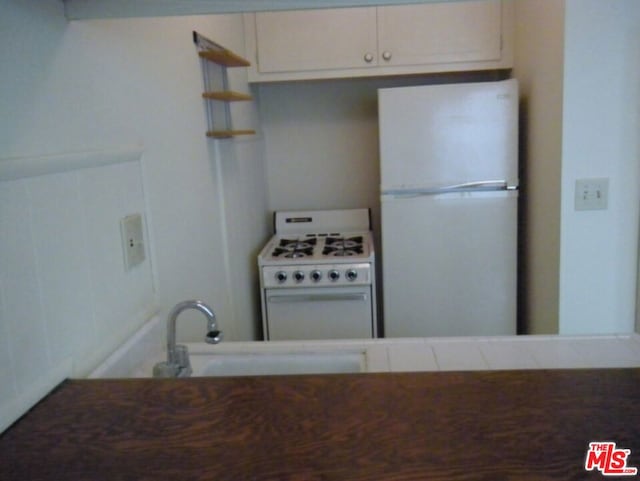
point(601, 124)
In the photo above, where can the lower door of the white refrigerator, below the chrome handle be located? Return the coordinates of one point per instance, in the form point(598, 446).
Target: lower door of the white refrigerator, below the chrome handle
point(450, 264)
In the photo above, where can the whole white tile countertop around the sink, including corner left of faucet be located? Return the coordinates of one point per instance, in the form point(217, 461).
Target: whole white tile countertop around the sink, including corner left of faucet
point(138, 355)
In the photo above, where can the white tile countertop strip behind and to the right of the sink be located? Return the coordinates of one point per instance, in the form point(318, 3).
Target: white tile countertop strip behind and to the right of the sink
point(465, 354)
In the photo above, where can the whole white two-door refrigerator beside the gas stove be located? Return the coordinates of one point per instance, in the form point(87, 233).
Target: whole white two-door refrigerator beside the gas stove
point(449, 187)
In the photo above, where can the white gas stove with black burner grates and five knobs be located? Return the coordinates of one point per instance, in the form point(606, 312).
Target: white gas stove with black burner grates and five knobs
point(317, 276)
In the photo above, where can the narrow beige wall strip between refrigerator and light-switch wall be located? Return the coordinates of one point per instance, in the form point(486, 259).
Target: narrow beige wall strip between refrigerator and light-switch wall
point(539, 59)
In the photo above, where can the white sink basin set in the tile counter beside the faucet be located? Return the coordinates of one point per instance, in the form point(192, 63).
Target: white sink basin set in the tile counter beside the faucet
point(277, 364)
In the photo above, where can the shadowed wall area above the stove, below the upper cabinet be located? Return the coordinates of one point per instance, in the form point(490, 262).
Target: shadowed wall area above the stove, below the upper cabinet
point(321, 143)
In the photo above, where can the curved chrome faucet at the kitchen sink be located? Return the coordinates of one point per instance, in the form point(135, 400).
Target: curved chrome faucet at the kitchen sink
point(177, 363)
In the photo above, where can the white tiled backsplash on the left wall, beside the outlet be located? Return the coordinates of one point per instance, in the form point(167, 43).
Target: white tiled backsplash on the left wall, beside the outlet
point(66, 300)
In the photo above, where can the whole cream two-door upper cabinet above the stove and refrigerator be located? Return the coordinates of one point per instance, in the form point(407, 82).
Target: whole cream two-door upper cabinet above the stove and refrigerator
point(372, 41)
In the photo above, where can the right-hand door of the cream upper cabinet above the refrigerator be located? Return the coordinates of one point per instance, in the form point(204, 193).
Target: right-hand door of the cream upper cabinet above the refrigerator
point(437, 33)
